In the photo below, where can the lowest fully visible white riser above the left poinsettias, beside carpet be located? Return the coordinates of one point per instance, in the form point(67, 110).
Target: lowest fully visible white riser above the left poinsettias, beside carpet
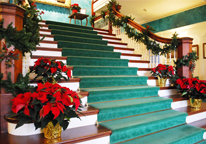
point(47, 53)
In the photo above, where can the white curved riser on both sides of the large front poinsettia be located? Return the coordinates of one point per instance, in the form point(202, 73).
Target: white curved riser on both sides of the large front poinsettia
point(29, 129)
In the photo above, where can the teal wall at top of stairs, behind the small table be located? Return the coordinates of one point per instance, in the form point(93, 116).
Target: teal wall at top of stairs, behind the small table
point(61, 14)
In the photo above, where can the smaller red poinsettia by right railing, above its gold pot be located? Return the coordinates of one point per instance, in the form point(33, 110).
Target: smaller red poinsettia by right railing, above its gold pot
point(163, 71)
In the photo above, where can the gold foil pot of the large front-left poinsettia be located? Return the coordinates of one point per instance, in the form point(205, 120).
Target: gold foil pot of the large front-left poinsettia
point(51, 131)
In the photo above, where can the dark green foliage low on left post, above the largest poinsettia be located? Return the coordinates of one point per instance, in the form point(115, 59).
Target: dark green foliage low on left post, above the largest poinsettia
point(21, 85)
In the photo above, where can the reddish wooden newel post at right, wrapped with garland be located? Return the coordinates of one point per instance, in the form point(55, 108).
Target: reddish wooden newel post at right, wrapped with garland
point(184, 48)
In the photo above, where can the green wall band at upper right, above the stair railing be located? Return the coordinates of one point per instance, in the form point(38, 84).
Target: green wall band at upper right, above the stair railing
point(188, 17)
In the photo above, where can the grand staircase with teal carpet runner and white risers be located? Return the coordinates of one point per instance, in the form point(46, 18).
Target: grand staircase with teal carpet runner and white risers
point(122, 103)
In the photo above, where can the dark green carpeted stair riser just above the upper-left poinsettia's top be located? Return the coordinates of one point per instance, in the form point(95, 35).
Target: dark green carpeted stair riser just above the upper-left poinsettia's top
point(89, 53)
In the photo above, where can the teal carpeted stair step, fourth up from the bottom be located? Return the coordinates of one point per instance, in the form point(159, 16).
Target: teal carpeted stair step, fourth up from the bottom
point(119, 93)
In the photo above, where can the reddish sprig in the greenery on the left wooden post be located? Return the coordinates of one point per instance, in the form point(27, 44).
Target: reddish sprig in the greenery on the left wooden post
point(8, 55)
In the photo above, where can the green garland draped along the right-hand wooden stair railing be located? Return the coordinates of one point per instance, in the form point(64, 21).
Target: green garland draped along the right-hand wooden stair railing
point(140, 36)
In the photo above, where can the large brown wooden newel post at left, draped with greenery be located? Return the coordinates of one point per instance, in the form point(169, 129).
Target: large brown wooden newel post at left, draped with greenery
point(15, 14)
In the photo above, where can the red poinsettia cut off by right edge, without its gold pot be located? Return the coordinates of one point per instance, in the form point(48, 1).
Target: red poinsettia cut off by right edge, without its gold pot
point(191, 88)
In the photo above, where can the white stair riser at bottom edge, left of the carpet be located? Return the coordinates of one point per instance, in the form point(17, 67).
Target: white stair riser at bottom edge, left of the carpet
point(102, 140)
